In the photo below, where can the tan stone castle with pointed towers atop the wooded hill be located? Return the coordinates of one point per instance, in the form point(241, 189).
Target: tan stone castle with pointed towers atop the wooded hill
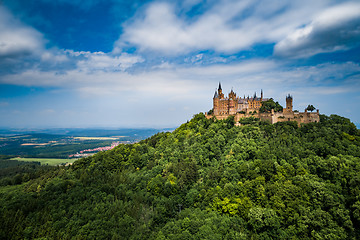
point(223, 107)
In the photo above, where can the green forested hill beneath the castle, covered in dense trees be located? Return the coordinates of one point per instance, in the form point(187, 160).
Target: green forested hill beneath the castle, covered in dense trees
point(205, 180)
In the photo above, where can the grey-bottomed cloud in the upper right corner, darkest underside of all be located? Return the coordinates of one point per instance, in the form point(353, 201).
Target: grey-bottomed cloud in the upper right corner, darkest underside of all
point(336, 28)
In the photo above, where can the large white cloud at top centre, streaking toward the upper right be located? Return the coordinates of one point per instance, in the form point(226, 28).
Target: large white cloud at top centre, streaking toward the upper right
point(228, 26)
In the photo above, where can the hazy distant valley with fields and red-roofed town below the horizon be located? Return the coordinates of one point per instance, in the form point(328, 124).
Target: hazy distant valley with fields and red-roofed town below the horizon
point(66, 143)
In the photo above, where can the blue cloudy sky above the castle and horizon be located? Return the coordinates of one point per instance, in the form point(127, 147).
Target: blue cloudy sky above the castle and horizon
point(120, 63)
